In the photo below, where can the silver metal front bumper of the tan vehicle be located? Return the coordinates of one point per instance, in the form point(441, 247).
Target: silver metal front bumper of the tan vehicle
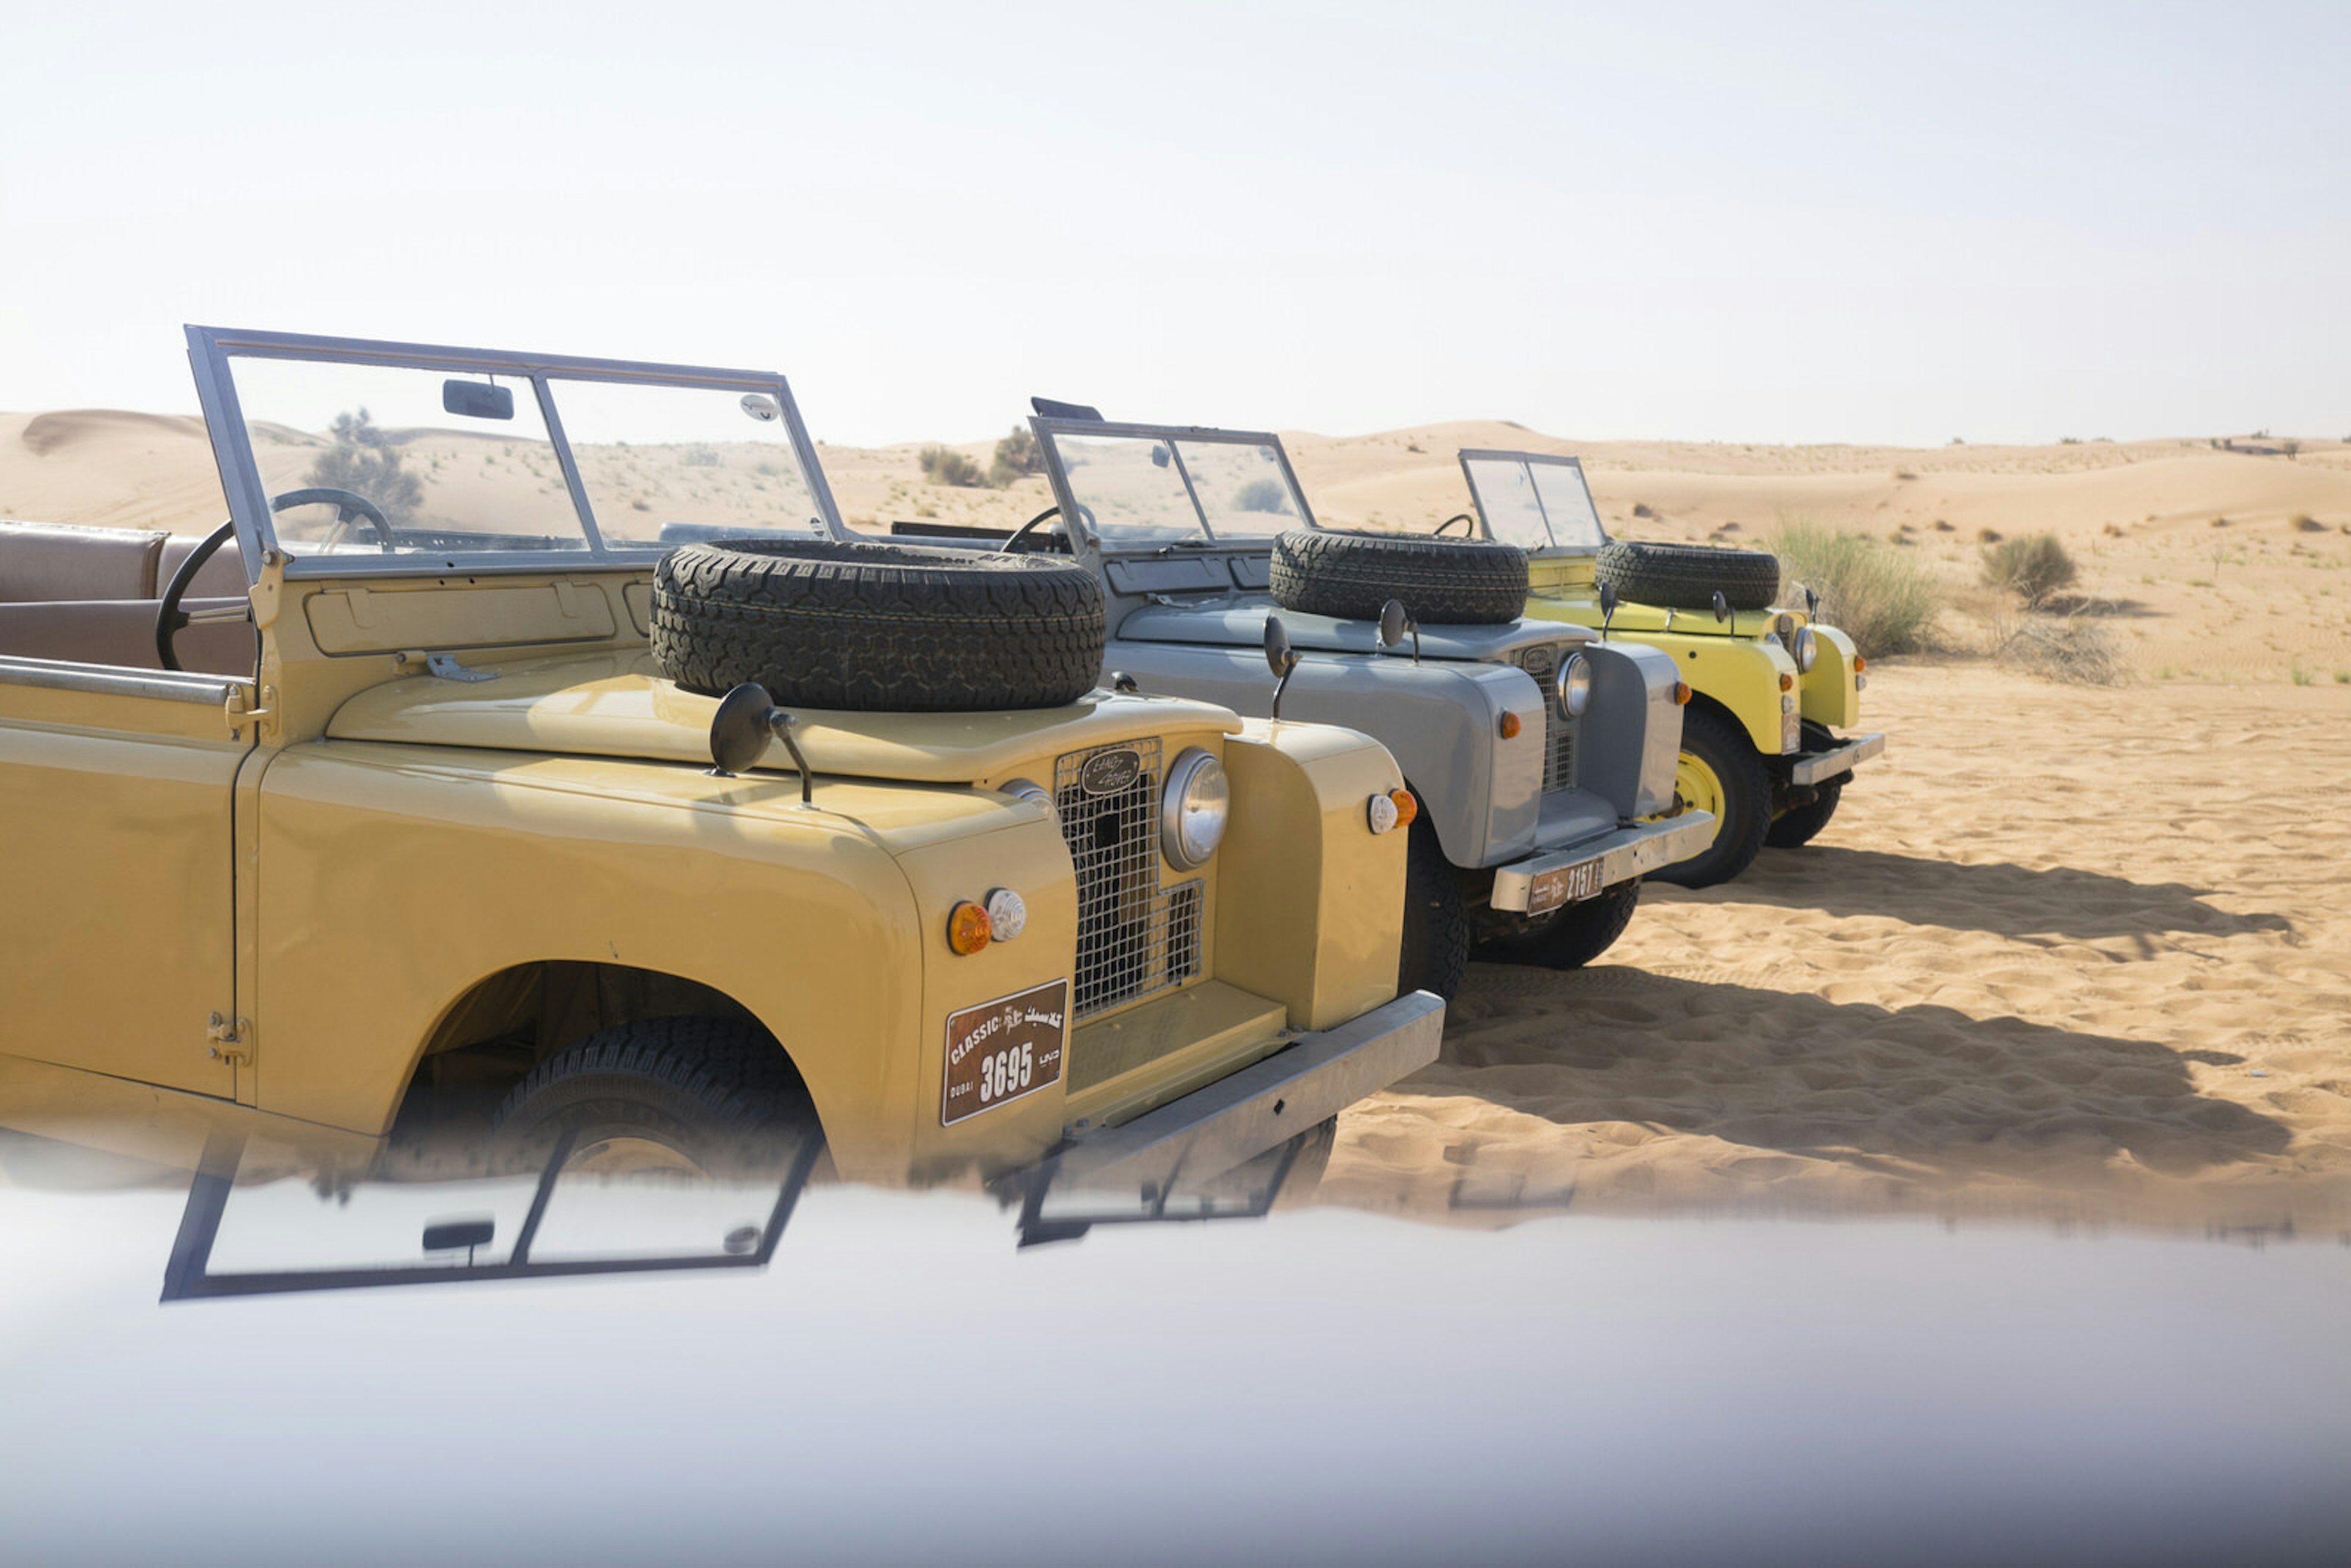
point(1261, 1106)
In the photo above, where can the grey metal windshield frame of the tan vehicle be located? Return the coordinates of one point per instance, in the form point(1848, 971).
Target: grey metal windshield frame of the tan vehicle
point(210, 351)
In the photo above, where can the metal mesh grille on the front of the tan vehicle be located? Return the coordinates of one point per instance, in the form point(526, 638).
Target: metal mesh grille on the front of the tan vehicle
point(1132, 934)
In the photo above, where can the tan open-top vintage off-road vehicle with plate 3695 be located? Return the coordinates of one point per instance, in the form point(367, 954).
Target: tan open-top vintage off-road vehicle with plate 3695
point(429, 810)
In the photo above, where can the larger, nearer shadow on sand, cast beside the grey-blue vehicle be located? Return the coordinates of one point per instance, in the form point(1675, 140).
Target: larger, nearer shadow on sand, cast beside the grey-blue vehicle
point(1920, 1092)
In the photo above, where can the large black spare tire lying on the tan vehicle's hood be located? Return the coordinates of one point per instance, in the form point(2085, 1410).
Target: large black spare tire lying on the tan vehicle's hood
point(876, 626)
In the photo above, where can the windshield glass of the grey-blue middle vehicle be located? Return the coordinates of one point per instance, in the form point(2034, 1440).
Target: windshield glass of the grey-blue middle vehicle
point(1153, 490)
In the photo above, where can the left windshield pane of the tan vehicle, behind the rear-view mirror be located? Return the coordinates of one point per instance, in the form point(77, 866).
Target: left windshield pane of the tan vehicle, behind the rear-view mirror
point(373, 460)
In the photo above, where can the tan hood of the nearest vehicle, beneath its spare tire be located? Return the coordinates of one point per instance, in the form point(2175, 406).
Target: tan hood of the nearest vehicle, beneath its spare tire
point(622, 706)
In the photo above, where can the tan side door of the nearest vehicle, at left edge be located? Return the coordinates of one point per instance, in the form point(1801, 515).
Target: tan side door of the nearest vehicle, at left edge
point(119, 927)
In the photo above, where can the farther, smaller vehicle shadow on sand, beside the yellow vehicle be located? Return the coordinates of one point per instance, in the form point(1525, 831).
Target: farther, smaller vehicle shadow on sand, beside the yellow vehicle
point(2002, 899)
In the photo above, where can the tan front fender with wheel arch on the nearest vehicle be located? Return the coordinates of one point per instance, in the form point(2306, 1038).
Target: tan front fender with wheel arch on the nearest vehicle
point(394, 878)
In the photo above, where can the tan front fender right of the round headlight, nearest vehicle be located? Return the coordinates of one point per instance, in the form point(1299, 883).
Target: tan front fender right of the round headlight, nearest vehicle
point(1308, 894)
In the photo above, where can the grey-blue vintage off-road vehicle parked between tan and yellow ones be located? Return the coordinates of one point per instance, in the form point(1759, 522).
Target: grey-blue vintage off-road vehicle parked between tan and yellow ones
point(1541, 756)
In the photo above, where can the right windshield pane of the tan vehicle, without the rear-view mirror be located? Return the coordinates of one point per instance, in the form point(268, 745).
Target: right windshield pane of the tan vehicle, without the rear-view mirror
point(676, 464)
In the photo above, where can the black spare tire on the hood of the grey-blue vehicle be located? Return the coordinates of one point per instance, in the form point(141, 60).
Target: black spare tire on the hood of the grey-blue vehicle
point(1442, 582)
